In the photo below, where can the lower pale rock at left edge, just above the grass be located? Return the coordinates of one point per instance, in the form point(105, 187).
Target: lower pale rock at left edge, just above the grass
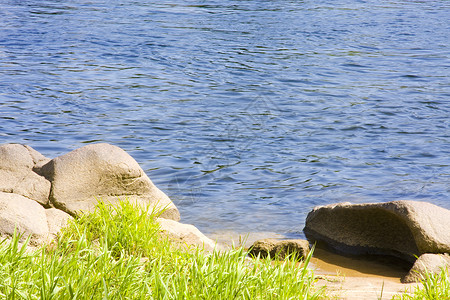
point(25, 215)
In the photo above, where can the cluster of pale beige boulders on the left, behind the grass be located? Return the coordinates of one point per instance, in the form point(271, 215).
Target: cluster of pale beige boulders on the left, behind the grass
point(39, 195)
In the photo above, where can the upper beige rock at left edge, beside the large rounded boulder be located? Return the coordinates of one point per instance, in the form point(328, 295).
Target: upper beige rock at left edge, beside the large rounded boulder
point(18, 164)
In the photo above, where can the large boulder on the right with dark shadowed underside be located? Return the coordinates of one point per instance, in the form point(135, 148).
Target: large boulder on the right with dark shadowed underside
point(405, 229)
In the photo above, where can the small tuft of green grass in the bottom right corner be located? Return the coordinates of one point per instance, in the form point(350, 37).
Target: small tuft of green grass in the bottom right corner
point(433, 287)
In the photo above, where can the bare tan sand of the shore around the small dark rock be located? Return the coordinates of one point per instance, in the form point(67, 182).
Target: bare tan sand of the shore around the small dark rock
point(344, 277)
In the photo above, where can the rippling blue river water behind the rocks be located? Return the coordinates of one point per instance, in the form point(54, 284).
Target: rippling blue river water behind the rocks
point(246, 113)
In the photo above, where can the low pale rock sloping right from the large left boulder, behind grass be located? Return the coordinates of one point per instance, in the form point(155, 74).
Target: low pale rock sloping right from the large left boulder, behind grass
point(185, 234)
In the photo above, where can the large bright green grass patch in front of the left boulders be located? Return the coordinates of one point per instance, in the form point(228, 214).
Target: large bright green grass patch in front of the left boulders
point(119, 254)
